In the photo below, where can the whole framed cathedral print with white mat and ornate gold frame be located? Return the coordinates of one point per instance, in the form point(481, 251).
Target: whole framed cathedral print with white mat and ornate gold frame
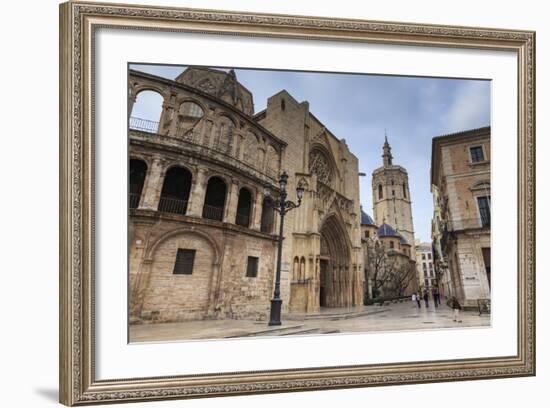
point(261, 203)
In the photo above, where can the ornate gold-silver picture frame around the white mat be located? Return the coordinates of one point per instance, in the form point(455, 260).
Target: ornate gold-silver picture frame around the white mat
point(78, 381)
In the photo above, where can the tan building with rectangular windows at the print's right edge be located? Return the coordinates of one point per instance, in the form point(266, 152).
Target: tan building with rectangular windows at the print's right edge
point(461, 226)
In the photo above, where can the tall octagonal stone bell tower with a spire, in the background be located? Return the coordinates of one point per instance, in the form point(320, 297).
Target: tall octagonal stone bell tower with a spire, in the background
point(391, 196)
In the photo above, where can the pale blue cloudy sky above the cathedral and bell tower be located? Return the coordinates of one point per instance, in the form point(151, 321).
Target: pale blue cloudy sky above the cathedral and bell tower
point(360, 108)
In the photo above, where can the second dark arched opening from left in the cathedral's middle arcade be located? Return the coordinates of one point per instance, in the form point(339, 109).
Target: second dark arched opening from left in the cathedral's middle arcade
point(175, 191)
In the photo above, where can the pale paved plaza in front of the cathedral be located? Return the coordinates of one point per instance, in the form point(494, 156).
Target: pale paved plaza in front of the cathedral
point(393, 316)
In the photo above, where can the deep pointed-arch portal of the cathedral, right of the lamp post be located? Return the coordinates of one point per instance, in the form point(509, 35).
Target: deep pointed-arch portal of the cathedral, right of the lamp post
point(335, 286)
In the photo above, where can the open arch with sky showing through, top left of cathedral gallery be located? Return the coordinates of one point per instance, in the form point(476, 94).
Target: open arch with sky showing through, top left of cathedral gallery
point(146, 112)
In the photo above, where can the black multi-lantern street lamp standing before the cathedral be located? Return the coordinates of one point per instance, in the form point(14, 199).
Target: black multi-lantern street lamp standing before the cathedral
point(282, 206)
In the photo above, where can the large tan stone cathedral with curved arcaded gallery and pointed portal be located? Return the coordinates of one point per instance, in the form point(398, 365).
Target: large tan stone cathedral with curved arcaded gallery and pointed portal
point(202, 233)
